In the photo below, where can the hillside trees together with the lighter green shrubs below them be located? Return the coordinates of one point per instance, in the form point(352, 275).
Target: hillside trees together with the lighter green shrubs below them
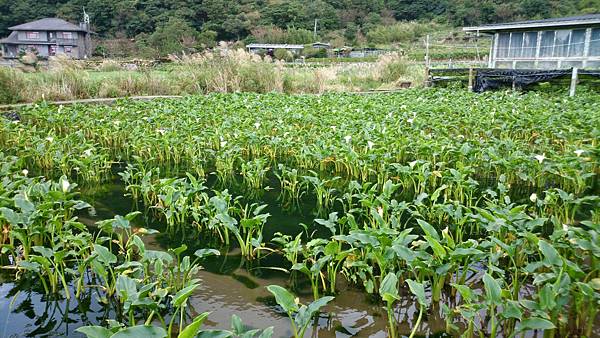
point(153, 28)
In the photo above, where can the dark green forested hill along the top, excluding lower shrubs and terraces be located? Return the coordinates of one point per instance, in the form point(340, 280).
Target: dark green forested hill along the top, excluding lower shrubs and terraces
point(236, 20)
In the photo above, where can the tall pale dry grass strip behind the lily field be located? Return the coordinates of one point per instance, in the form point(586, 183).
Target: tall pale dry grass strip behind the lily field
point(236, 71)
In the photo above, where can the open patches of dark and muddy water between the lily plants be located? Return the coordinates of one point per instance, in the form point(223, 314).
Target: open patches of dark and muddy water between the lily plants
point(229, 285)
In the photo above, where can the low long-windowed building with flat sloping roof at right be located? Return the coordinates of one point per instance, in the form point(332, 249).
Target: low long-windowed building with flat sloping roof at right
point(544, 44)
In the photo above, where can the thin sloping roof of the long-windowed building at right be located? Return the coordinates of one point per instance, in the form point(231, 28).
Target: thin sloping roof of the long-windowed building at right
point(582, 20)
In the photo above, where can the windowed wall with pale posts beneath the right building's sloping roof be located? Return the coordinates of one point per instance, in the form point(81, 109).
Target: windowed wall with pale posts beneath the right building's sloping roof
point(547, 49)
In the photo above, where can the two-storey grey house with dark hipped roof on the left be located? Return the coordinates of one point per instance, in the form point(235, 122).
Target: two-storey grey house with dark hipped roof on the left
point(48, 37)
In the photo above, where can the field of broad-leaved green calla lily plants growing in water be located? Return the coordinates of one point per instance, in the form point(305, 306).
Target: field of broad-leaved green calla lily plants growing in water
point(484, 207)
